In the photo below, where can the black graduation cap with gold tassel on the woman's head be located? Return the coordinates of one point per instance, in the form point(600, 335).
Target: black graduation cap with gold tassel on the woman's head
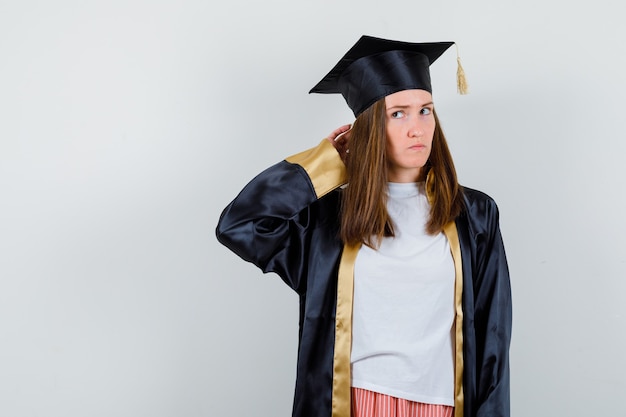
point(374, 68)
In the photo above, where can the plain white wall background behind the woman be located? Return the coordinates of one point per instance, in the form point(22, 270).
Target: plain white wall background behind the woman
point(126, 127)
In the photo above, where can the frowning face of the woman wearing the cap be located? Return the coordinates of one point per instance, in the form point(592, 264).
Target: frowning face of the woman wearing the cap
point(410, 130)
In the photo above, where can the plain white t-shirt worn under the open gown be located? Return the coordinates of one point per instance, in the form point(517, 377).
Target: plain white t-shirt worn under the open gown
point(403, 313)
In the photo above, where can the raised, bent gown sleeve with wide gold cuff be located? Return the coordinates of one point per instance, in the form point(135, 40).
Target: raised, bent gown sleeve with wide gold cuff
point(269, 222)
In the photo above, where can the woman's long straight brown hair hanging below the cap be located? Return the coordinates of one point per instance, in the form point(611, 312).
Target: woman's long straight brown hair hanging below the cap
point(364, 216)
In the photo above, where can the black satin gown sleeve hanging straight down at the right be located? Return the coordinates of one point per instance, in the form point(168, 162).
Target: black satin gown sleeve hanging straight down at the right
point(492, 318)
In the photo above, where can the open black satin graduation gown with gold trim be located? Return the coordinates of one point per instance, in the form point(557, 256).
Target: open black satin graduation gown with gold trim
point(286, 221)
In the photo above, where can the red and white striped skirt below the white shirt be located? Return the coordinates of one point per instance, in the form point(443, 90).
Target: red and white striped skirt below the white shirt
point(372, 404)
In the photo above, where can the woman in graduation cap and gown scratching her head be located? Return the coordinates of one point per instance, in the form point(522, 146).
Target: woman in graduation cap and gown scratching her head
point(404, 290)
